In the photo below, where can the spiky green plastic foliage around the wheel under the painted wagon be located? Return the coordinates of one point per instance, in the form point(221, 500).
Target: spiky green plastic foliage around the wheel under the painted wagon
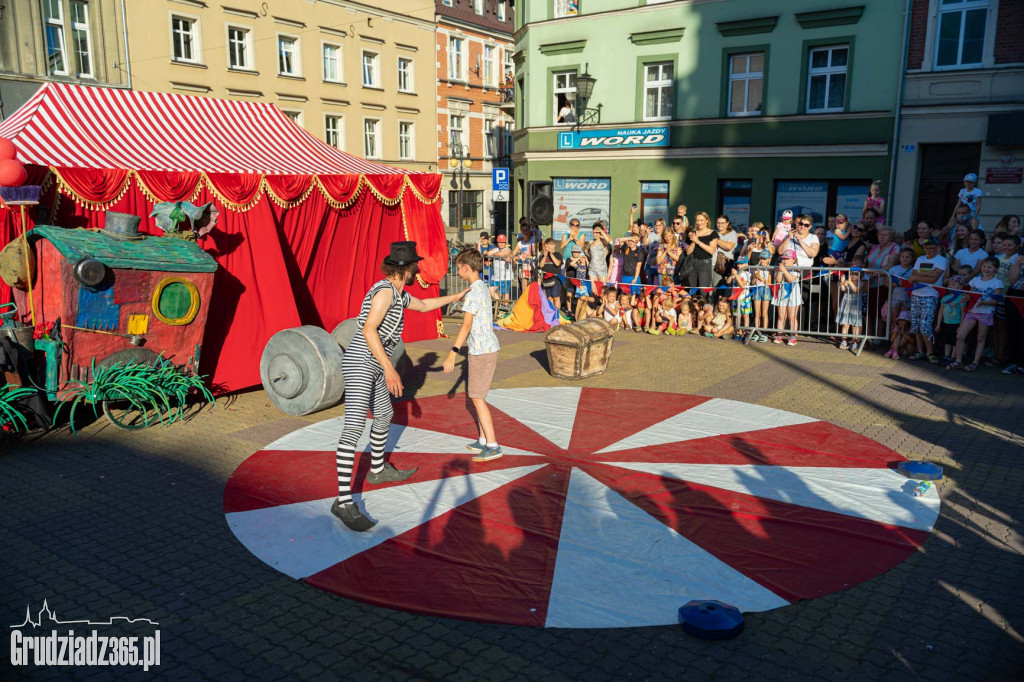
point(159, 392)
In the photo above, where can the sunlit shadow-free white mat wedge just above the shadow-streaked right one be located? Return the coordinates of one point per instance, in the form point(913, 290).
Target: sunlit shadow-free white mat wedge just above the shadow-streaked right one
point(716, 417)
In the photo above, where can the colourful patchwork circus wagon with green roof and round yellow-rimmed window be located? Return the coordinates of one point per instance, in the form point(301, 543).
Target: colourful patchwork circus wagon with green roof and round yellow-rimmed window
point(122, 318)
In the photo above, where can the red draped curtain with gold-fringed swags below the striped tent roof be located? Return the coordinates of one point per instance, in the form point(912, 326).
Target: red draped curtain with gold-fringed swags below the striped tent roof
point(310, 265)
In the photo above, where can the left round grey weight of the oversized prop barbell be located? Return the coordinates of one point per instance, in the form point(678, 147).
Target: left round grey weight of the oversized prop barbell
point(302, 370)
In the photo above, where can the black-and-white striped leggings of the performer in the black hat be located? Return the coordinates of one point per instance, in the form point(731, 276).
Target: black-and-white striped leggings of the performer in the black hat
point(365, 391)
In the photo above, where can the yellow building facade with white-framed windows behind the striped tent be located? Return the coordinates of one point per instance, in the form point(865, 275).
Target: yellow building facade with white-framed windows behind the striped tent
point(360, 77)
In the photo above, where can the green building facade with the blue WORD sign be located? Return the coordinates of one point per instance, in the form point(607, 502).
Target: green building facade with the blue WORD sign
point(742, 107)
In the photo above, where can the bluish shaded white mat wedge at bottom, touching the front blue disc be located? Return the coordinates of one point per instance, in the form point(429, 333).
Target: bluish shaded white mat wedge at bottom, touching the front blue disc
point(620, 568)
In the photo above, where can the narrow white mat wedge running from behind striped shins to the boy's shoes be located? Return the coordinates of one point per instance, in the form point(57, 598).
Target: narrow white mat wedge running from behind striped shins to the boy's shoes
point(324, 437)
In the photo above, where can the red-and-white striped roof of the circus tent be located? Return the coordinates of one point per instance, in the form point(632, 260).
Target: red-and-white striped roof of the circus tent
point(96, 127)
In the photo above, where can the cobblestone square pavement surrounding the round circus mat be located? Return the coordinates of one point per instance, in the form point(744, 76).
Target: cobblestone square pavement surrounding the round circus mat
point(113, 523)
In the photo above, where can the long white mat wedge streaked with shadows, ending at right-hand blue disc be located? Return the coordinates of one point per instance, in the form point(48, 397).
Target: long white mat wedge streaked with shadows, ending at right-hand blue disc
point(878, 495)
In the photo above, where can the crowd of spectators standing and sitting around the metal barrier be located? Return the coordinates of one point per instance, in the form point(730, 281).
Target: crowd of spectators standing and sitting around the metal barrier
point(953, 286)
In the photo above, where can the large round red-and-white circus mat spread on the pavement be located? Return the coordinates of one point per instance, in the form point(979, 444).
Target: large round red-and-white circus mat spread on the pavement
point(611, 508)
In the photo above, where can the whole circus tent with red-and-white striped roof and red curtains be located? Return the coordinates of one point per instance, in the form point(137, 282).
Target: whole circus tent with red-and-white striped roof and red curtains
point(303, 227)
